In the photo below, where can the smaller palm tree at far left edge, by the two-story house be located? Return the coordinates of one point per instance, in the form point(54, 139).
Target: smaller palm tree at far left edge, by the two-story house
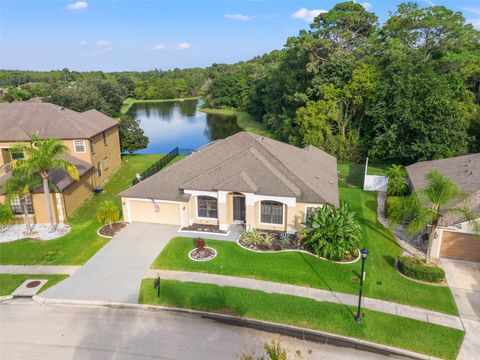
point(20, 185)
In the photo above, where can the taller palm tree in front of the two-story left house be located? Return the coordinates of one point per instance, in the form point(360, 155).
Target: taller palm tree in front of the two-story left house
point(41, 157)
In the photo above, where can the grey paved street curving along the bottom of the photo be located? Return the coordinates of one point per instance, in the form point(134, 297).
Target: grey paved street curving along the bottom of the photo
point(29, 330)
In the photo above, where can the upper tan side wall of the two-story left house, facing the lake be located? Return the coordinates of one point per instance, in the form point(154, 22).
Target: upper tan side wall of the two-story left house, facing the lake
point(111, 151)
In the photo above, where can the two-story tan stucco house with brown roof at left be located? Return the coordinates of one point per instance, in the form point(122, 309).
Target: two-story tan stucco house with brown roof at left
point(93, 147)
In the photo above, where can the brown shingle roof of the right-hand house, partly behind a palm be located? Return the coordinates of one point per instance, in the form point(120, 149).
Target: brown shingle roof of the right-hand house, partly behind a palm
point(464, 170)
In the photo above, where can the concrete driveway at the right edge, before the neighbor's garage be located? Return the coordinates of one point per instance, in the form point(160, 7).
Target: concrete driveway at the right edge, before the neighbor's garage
point(464, 280)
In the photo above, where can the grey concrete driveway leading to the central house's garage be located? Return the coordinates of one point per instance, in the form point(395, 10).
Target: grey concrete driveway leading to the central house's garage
point(116, 270)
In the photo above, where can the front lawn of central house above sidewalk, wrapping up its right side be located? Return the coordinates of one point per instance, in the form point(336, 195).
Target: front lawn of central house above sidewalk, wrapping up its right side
point(382, 281)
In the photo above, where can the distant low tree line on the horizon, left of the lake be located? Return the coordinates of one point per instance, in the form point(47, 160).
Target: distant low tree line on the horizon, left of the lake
point(102, 91)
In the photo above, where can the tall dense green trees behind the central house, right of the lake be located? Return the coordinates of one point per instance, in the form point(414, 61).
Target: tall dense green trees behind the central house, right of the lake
point(403, 91)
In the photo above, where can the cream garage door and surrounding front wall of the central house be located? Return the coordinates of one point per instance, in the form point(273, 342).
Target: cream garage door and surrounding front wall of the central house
point(144, 211)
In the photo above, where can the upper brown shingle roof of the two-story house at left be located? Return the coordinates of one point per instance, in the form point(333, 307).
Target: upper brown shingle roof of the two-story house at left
point(20, 120)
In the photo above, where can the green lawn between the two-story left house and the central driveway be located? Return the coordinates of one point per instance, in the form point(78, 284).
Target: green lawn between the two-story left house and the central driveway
point(82, 242)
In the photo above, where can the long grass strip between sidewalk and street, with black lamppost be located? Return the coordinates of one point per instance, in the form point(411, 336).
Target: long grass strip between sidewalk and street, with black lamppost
point(378, 327)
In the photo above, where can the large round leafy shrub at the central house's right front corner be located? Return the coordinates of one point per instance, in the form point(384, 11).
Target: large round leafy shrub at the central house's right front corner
point(332, 232)
